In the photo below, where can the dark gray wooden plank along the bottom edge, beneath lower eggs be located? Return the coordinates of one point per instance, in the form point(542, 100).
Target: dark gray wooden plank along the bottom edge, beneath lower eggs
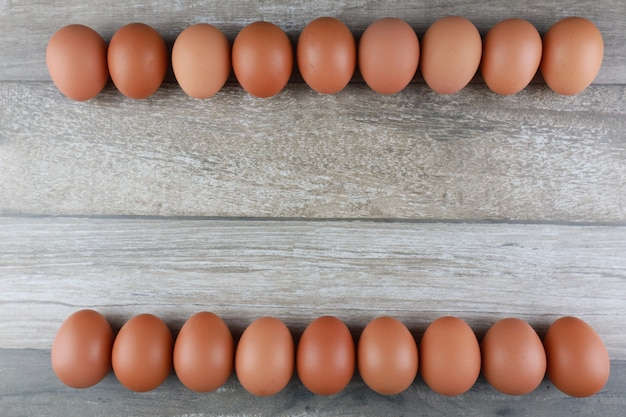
point(28, 387)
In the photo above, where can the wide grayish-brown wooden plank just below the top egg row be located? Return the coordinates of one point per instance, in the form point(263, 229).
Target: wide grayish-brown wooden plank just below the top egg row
point(417, 155)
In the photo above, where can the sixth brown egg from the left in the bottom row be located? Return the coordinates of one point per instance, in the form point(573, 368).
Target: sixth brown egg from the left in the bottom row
point(387, 356)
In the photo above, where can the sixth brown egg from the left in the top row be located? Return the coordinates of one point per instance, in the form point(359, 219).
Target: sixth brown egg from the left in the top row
point(388, 55)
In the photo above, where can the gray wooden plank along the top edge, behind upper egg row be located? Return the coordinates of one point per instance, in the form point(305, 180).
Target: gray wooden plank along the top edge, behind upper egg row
point(26, 26)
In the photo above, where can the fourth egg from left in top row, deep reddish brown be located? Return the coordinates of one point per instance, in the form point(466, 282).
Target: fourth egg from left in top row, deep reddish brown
point(262, 59)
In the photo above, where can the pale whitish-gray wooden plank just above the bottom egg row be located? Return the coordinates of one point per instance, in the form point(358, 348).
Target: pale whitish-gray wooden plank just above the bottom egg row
point(297, 271)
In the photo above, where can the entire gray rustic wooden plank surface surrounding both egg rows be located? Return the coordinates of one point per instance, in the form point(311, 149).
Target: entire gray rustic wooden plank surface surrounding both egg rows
point(416, 205)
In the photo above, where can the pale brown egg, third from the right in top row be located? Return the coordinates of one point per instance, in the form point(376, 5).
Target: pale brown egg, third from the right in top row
point(451, 52)
